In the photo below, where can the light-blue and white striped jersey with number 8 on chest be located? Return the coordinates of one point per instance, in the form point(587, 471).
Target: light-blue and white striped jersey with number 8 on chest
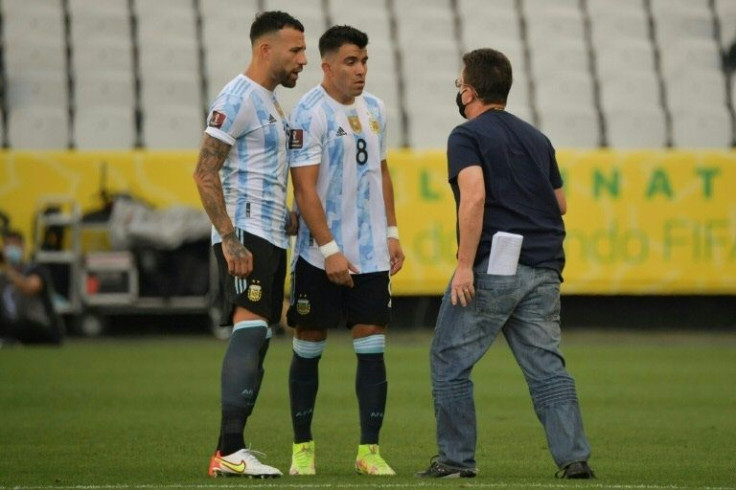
point(348, 142)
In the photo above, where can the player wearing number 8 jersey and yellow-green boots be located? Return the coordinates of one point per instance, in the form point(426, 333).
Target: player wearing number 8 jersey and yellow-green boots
point(347, 245)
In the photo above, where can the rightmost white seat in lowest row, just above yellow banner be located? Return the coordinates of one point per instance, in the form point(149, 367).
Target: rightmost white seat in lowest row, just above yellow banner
point(702, 127)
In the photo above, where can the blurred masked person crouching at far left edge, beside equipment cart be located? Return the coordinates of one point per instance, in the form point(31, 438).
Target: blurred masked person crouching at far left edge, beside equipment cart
point(27, 313)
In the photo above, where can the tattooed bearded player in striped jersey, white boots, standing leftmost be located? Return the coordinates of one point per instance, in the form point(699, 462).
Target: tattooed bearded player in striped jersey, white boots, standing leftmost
point(241, 176)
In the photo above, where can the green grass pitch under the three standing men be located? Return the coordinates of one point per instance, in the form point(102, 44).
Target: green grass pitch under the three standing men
point(658, 409)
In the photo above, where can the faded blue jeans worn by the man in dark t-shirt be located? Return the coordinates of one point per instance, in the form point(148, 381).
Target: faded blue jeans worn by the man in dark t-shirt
point(526, 307)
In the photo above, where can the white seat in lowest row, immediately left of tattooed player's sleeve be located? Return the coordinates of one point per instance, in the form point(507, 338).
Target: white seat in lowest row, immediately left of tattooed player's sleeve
point(173, 127)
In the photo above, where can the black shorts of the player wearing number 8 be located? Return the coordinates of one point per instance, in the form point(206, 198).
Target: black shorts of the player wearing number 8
point(316, 302)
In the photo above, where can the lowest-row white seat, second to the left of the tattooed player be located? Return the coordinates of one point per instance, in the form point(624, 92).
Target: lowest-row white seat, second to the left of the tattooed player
point(101, 127)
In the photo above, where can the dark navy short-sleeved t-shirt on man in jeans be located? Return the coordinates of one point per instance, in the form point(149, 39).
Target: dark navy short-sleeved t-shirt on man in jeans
point(521, 174)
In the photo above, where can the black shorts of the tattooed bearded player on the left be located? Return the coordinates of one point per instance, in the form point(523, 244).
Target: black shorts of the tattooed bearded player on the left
point(262, 292)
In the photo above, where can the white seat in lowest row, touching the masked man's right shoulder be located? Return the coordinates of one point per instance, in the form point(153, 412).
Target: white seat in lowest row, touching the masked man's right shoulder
point(570, 126)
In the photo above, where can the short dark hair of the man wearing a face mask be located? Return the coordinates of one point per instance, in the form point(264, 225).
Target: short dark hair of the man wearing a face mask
point(489, 72)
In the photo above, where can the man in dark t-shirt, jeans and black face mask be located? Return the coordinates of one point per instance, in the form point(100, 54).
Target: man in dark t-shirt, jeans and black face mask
point(504, 176)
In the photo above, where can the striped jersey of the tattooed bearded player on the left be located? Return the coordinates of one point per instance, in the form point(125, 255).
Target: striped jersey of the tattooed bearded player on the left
point(254, 177)
